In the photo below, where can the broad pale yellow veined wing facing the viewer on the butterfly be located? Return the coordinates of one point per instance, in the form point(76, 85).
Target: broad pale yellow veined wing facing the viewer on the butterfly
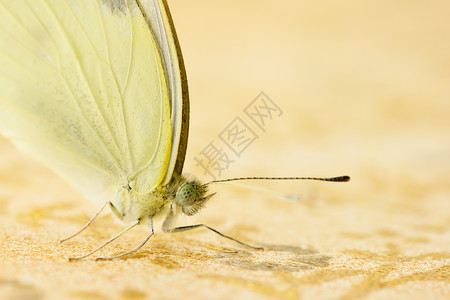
point(83, 87)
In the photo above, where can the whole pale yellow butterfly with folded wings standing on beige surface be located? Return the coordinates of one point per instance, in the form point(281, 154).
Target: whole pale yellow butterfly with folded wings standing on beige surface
point(97, 90)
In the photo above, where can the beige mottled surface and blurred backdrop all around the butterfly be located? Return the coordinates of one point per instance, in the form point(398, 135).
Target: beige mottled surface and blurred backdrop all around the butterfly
point(365, 91)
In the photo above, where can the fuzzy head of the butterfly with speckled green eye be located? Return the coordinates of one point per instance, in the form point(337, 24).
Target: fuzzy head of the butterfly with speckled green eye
point(191, 196)
